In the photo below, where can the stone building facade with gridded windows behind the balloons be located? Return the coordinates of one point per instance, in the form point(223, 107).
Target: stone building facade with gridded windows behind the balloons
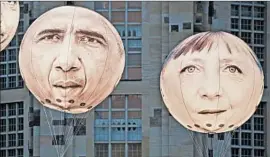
point(133, 121)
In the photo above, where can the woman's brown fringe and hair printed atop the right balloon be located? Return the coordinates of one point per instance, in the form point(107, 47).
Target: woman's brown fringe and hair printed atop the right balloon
point(200, 41)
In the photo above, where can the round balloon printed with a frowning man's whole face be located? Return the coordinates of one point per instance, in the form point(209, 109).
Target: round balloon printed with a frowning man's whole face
point(71, 58)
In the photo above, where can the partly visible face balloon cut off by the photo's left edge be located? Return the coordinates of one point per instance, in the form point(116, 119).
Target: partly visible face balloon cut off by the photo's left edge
point(10, 12)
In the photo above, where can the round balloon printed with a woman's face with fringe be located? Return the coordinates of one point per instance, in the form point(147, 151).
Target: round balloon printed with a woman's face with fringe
point(212, 82)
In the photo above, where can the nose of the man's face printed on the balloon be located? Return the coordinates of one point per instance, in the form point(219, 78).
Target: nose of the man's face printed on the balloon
point(67, 60)
